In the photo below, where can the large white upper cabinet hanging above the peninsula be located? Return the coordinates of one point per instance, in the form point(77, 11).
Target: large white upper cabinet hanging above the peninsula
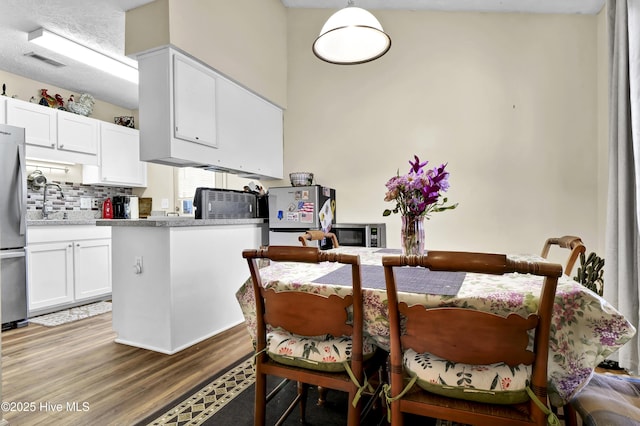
point(191, 115)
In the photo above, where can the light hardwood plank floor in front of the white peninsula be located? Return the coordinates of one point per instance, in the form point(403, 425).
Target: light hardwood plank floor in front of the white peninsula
point(112, 384)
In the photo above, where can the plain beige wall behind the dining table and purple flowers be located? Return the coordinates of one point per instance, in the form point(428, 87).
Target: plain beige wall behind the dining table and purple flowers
point(508, 100)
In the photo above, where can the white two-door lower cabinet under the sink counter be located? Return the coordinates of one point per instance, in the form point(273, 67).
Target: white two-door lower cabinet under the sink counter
point(67, 265)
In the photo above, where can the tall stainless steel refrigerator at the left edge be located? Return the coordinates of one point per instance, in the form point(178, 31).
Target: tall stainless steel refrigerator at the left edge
point(13, 227)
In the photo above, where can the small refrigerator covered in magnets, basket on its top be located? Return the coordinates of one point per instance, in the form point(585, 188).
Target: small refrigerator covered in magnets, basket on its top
point(296, 209)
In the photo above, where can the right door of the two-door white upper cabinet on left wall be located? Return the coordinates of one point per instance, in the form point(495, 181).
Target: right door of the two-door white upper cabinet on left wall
point(77, 133)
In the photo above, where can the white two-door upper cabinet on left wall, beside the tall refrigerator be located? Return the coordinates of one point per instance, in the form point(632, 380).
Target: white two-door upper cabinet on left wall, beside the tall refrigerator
point(51, 134)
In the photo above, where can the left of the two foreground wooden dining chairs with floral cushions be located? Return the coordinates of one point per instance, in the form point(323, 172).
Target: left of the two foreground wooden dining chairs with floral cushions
point(310, 338)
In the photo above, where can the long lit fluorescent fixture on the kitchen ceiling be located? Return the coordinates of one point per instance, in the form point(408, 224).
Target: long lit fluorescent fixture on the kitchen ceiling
point(80, 53)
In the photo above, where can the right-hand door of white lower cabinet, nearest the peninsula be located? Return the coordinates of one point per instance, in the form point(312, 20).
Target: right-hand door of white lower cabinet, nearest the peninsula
point(92, 268)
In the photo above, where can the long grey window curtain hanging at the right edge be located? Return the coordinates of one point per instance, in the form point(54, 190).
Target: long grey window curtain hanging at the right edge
point(622, 285)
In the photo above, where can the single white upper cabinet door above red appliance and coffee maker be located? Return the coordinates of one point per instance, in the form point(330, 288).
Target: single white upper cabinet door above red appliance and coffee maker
point(120, 156)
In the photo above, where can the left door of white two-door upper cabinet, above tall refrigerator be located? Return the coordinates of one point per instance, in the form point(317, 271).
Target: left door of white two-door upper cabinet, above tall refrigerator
point(38, 121)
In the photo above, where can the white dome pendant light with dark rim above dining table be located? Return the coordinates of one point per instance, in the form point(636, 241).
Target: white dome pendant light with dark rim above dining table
point(351, 36)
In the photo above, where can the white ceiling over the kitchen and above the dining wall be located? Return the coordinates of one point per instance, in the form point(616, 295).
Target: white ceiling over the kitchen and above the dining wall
point(99, 24)
